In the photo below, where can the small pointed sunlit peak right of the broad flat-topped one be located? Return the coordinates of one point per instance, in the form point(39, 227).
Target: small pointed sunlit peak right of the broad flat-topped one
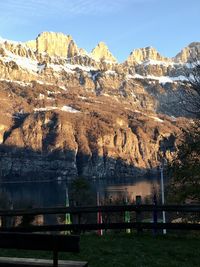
point(101, 52)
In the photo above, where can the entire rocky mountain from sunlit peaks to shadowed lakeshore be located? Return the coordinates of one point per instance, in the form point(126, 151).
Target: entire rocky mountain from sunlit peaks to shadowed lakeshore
point(68, 112)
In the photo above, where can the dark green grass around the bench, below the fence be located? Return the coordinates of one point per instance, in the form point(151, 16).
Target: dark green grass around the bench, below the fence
point(130, 250)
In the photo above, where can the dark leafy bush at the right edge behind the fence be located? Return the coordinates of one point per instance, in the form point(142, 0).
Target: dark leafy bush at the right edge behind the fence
point(185, 169)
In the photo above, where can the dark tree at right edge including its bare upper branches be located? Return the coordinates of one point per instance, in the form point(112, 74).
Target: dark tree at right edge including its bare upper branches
point(184, 185)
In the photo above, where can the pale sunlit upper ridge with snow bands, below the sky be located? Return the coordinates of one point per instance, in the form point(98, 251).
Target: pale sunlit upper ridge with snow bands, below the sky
point(42, 59)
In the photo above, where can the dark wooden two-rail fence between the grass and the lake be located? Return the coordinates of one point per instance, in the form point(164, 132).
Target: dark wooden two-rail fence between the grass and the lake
point(77, 212)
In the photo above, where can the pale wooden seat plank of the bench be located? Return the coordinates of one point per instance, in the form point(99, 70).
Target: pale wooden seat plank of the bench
point(24, 262)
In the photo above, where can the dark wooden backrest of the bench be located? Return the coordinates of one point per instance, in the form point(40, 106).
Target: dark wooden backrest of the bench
point(51, 242)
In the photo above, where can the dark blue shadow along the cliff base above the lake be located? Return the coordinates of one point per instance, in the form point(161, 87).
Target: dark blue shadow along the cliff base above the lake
point(17, 163)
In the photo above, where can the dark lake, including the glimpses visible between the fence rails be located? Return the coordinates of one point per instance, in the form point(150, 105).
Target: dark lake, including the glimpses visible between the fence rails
point(43, 194)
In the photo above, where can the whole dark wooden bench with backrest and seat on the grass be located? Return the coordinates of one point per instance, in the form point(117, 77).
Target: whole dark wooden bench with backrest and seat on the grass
point(46, 242)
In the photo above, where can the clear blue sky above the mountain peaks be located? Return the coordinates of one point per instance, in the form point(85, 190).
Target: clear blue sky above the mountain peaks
point(123, 25)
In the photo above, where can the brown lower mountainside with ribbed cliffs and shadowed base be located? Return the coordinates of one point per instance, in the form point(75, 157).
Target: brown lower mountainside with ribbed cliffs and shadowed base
point(60, 133)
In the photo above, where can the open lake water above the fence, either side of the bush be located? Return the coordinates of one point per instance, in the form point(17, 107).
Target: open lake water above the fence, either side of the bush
point(53, 193)
